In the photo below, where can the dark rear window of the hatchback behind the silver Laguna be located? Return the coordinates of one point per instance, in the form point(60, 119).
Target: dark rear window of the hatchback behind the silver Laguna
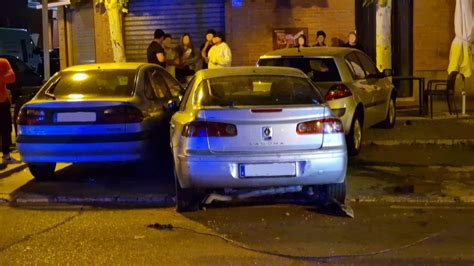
point(317, 69)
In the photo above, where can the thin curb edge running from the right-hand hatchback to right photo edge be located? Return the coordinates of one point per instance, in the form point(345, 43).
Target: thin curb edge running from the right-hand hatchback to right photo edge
point(443, 142)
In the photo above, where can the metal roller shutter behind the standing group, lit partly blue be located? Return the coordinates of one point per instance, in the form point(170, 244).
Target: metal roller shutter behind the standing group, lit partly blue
point(174, 17)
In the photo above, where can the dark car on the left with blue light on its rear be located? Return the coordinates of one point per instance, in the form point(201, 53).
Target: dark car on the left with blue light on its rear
point(96, 113)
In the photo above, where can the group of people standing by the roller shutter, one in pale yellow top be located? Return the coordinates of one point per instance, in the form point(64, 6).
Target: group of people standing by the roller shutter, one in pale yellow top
point(182, 60)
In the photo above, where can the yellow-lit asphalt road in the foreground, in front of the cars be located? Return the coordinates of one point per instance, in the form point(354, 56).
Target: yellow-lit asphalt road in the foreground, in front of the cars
point(282, 234)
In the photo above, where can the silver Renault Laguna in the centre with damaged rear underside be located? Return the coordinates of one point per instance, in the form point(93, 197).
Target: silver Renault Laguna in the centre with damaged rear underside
point(253, 127)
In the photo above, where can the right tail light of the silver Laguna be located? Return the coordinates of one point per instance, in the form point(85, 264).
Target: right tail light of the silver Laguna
point(323, 126)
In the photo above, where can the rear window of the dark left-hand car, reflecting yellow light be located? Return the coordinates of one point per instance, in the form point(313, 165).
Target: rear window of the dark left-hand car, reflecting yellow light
point(92, 84)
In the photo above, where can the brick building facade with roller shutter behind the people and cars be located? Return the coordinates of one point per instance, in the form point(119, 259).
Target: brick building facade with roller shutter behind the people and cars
point(250, 27)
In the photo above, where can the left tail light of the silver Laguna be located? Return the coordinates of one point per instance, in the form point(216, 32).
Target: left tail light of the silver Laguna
point(209, 129)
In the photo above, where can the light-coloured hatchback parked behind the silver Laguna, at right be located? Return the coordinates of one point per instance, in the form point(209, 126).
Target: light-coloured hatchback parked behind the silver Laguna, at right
point(353, 87)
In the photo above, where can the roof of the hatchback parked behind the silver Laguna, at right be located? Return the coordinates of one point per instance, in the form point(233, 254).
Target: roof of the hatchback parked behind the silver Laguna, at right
point(310, 51)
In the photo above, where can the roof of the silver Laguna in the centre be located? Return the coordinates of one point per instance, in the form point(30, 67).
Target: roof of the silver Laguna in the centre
point(250, 70)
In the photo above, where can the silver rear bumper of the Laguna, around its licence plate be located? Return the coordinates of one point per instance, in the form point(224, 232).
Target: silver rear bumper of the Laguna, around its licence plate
point(323, 166)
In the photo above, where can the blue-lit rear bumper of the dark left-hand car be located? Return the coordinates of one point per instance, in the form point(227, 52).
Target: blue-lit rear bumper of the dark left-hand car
point(82, 152)
